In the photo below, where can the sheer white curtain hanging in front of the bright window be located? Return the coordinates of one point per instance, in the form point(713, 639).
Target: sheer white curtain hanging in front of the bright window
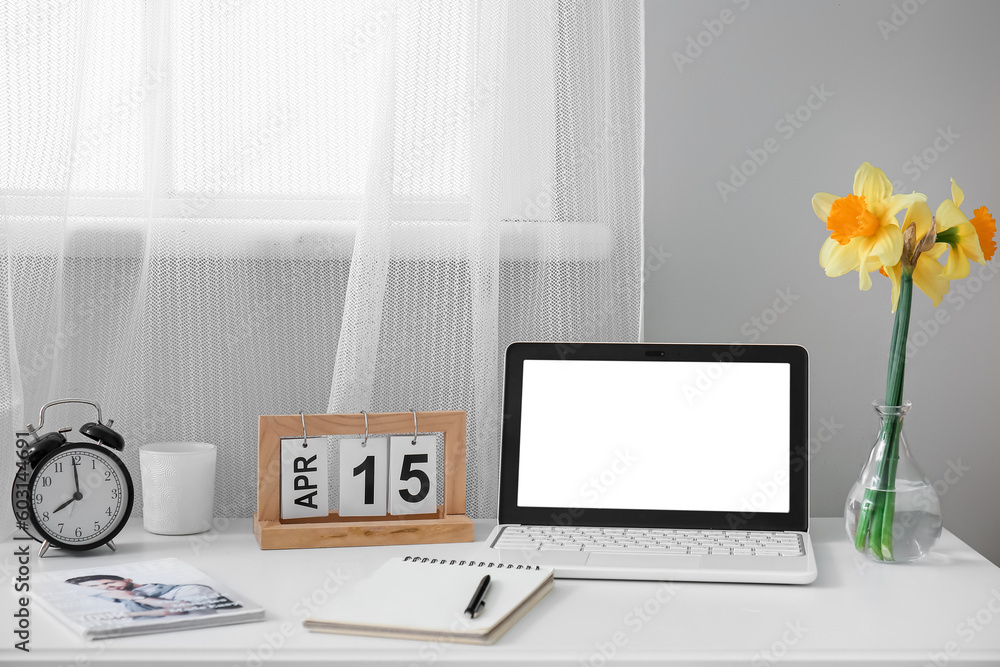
point(215, 210)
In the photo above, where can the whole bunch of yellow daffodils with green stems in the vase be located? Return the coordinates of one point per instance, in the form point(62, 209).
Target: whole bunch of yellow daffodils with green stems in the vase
point(864, 237)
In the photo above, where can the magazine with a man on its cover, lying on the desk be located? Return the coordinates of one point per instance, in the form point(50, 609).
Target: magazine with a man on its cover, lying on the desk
point(139, 598)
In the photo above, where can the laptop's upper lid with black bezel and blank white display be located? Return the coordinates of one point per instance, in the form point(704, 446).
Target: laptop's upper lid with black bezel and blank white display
point(646, 434)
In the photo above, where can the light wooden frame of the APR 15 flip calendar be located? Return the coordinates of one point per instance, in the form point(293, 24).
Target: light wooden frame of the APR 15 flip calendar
point(448, 524)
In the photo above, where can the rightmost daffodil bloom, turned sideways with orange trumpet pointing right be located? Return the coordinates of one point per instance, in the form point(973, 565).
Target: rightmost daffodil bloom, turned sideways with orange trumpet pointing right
point(967, 240)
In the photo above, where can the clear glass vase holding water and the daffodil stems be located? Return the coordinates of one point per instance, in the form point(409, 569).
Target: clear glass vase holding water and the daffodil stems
point(893, 513)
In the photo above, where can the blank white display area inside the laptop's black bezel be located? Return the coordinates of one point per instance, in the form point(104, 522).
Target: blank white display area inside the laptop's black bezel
point(655, 435)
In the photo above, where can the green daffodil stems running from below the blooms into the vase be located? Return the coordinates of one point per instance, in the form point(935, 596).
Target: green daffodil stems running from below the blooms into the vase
point(878, 508)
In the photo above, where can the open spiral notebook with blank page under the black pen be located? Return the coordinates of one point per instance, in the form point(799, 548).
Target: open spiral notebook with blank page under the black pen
point(425, 599)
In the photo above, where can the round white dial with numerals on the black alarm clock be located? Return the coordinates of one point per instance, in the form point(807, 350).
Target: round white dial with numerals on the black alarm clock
point(80, 496)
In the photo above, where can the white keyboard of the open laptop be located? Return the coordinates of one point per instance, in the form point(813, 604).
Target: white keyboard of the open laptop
point(650, 540)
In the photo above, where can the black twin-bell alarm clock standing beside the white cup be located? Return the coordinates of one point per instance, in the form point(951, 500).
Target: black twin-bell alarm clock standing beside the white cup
point(78, 495)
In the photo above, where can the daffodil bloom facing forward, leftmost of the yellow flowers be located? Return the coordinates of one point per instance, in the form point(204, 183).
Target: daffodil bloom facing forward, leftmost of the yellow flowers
point(864, 232)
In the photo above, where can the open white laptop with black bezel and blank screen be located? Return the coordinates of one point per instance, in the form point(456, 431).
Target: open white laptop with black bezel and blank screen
point(656, 461)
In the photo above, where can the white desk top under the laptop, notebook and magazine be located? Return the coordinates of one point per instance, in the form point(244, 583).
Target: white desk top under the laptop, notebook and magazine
point(855, 613)
